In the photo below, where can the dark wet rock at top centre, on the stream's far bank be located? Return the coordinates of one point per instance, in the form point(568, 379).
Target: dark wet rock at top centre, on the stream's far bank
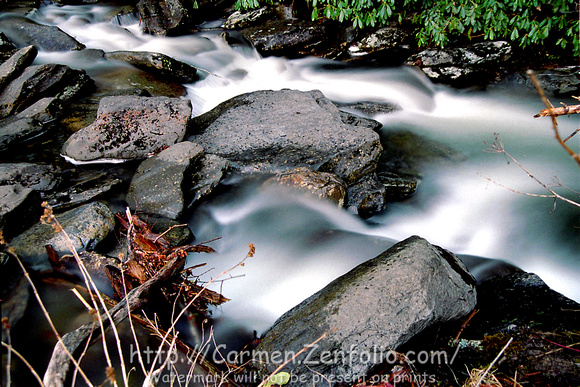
point(284, 37)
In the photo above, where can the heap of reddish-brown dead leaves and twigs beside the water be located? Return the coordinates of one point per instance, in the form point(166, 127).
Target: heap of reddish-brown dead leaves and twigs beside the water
point(147, 254)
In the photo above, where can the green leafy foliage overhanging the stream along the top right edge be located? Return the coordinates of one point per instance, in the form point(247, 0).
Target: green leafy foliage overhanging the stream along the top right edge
point(524, 22)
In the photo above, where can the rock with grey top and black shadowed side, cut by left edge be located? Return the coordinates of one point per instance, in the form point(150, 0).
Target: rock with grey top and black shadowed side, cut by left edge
point(19, 209)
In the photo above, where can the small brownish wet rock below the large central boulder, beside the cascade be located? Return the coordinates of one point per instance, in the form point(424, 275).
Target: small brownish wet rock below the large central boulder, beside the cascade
point(324, 185)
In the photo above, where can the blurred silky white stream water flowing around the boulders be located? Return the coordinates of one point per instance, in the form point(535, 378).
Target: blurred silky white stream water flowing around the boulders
point(302, 244)
